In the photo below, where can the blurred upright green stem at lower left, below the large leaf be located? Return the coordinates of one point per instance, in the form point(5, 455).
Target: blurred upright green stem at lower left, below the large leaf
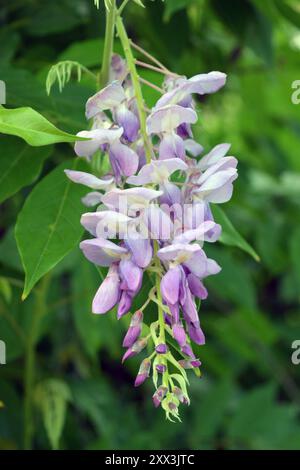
point(30, 362)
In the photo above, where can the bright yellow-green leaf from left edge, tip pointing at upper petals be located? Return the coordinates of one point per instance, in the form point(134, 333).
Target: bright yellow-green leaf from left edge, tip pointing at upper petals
point(32, 127)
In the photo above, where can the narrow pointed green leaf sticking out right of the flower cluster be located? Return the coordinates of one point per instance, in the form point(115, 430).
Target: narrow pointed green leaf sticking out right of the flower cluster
point(230, 236)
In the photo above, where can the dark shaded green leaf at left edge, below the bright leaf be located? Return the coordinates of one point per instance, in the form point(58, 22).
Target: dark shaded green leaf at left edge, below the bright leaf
point(20, 165)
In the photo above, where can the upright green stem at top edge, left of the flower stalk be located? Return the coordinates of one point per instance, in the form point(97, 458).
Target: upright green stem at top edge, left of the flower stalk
point(108, 44)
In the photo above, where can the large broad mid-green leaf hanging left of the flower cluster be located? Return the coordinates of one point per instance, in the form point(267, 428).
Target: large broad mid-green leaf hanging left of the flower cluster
point(50, 217)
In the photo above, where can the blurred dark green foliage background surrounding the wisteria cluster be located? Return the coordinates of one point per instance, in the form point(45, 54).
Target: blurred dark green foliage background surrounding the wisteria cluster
point(249, 393)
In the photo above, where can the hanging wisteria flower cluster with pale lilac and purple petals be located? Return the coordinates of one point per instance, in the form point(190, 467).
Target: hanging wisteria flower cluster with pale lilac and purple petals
point(153, 215)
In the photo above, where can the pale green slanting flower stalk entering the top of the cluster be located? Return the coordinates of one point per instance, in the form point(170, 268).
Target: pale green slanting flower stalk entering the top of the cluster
point(136, 84)
